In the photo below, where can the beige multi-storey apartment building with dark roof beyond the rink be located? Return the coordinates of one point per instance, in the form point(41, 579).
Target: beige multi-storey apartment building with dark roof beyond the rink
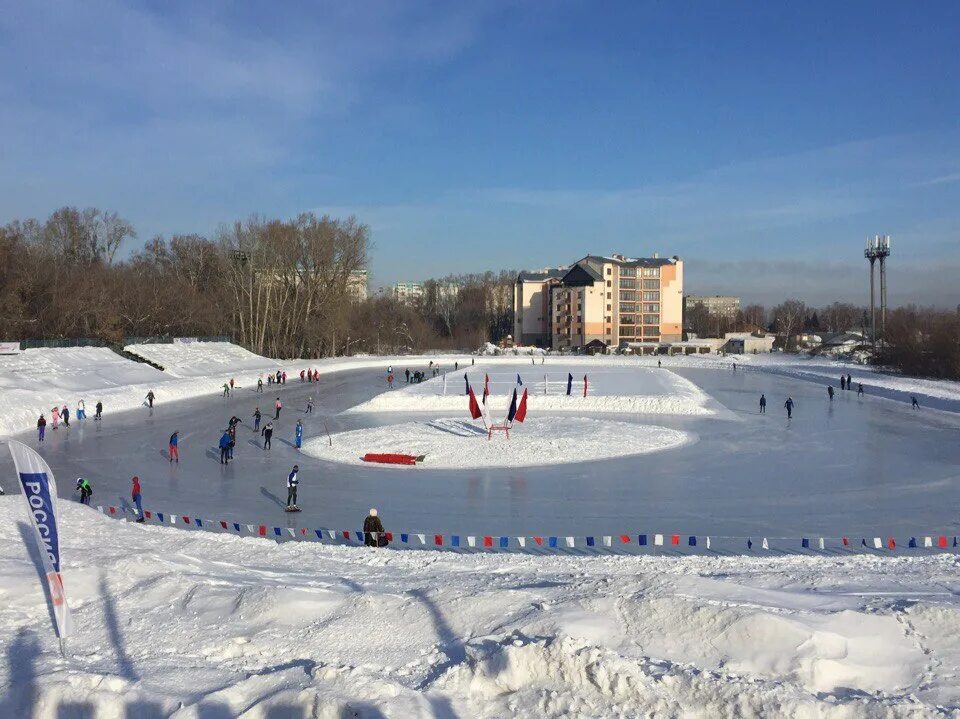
point(603, 301)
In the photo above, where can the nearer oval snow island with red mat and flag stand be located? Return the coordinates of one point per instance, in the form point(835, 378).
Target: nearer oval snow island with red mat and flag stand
point(455, 443)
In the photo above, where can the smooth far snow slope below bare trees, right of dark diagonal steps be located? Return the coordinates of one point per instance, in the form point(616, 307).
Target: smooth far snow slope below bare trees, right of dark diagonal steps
point(203, 359)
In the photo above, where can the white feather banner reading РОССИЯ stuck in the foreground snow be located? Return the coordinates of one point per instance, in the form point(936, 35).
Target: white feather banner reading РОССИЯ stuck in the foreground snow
point(40, 493)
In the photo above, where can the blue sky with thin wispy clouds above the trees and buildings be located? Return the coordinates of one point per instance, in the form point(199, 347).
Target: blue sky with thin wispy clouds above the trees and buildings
point(761, 142)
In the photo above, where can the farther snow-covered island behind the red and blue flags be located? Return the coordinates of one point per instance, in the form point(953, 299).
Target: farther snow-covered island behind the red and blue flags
point(620, 390)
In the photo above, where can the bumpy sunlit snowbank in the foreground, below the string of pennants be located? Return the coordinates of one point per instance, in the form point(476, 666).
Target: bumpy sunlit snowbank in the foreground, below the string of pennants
point(186, 624)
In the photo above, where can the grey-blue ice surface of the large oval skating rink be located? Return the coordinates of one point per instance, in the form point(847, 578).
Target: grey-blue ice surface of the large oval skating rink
point(866, 465)
